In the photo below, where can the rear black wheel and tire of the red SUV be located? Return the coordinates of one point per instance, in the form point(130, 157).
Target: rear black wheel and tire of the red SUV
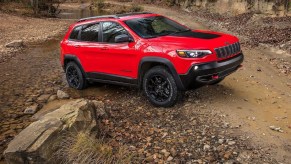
point(75, 77)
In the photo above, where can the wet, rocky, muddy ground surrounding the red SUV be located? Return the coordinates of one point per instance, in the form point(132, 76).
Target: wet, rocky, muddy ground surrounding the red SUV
point(229, 122)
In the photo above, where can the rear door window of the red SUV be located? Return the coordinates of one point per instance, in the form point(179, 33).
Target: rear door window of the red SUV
point(90, 32)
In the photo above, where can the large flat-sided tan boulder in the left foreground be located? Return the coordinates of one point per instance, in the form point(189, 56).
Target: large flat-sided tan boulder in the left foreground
point(35, 144)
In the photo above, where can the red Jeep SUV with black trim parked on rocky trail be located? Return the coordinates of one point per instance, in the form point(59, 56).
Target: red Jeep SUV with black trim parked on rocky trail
point(148, 51)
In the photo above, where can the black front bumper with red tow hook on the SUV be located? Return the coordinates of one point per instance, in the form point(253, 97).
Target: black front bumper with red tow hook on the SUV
point(205, 73)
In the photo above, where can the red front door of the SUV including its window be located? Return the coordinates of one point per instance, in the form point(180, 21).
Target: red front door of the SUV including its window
point(118, 59)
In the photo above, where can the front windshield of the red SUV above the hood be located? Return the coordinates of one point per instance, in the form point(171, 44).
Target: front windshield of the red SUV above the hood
point(151, 27)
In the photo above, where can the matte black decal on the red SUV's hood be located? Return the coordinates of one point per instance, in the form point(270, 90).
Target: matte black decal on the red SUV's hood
point(194, 34)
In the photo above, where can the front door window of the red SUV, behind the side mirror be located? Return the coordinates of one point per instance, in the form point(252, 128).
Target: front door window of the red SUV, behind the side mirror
point(111, 30)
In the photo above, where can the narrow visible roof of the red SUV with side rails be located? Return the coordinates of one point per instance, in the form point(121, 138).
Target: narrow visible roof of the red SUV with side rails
point(117, 16)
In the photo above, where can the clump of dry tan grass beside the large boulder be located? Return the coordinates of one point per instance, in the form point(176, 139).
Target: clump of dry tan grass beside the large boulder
point(82, 148)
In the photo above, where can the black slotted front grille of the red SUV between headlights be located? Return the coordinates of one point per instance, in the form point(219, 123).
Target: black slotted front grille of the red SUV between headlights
point(227, 51)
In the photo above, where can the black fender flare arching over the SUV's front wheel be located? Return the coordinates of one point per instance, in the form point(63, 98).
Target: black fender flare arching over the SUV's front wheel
point(162, 61)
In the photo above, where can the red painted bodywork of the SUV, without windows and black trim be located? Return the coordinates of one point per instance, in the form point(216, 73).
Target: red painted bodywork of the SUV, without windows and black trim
point(123, 59)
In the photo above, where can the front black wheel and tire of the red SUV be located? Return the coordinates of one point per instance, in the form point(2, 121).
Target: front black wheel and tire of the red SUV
point(160, 87)
